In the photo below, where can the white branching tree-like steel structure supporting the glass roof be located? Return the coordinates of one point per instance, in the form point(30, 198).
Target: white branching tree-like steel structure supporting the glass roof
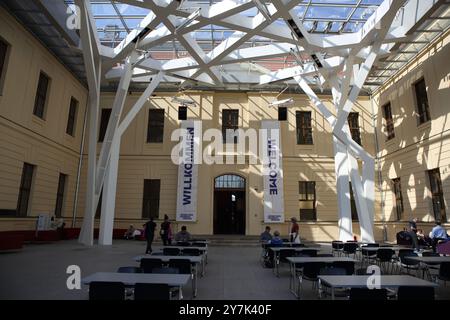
point(341, 62)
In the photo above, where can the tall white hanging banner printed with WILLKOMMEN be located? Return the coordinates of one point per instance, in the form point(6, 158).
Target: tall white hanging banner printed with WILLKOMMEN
point(188, 171)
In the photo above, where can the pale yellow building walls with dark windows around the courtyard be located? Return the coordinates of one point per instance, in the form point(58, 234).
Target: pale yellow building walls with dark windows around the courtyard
point(45, 144)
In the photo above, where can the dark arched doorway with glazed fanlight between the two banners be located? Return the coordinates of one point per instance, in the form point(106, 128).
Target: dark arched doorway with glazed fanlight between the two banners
point(229, 204)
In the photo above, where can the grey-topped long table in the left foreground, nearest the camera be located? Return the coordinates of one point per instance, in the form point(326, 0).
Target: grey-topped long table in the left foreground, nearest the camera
point(130, 279)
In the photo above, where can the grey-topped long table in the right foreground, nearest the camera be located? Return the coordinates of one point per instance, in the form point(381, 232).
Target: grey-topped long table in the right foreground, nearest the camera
point(386, 281)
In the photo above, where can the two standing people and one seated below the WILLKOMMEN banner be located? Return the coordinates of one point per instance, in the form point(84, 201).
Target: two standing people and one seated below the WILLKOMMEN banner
point(165, 233)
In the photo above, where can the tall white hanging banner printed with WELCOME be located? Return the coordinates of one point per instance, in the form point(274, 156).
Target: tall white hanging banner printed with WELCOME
point(271, 159)
